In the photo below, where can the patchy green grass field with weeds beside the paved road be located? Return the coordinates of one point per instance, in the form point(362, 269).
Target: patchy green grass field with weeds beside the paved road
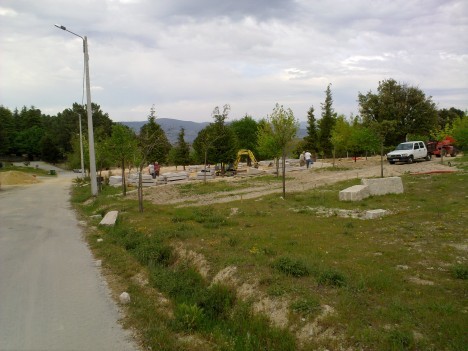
point(396, 283)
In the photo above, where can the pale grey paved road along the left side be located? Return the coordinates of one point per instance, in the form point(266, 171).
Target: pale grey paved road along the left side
point(52, 296)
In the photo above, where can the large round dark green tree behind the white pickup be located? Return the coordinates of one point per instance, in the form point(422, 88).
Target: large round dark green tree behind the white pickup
point(408, 107)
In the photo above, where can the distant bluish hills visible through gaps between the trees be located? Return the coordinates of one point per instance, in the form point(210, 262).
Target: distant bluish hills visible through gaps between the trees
point(172, 128)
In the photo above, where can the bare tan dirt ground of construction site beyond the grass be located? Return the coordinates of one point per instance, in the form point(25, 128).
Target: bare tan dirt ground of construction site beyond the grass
point(298, 179)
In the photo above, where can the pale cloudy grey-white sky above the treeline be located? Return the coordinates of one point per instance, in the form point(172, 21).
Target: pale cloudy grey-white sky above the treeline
point(186, 57)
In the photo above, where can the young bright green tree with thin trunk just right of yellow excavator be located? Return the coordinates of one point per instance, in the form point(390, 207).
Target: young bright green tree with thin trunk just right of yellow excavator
point(278, 133)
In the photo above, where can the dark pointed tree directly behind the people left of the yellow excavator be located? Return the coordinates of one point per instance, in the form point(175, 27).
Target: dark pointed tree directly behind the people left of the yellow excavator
point(162, 145)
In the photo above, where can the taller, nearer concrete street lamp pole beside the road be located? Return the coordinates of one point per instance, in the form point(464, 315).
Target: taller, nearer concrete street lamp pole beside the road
point(92, 157)
